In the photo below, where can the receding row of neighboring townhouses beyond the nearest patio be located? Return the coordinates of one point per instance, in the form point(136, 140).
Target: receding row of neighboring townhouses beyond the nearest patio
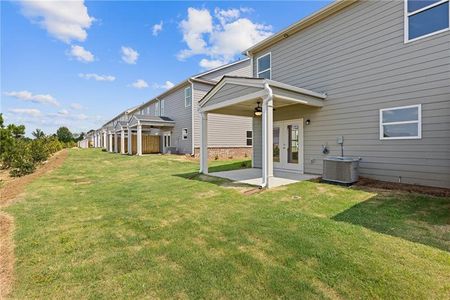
point(170, 122)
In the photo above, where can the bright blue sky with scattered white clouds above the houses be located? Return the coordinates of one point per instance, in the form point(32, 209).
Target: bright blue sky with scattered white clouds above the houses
point(82, 63)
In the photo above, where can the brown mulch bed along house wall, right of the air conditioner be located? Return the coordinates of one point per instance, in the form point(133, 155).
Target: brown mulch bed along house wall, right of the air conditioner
point(412, 188)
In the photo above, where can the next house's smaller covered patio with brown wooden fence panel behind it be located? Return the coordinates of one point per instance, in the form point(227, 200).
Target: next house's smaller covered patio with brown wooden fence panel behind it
point(146, 133)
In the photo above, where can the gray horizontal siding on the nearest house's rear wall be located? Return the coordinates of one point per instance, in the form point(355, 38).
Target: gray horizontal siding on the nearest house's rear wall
point(358, 57)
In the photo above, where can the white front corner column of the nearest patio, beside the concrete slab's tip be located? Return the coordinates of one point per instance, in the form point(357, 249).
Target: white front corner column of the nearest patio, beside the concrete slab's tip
point(267, 138)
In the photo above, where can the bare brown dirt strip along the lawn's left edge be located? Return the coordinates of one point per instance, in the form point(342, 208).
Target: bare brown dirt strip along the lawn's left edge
point(9, 192)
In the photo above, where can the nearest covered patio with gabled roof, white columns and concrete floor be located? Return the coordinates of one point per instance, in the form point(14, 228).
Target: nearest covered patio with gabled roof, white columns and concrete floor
point(277, 139)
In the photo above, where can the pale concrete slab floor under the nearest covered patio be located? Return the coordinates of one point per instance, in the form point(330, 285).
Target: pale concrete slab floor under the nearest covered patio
point(252, 176)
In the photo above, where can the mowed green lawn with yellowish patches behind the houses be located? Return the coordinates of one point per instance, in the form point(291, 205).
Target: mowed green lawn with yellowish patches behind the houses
point(111, 226)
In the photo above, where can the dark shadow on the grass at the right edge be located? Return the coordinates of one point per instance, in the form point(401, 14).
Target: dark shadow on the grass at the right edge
point(414, 217)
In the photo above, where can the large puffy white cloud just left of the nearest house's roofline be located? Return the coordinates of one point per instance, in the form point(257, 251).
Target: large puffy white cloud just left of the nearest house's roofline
point(221, 38)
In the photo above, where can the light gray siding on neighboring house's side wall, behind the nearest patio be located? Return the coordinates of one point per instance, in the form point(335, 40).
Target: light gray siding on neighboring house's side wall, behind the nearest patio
point(223, 130)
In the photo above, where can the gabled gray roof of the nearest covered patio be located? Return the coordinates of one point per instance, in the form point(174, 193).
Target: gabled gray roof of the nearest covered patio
point(238, 95)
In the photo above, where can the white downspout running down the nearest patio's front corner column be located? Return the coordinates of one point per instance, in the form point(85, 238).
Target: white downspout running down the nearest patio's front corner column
point(267, 120)
